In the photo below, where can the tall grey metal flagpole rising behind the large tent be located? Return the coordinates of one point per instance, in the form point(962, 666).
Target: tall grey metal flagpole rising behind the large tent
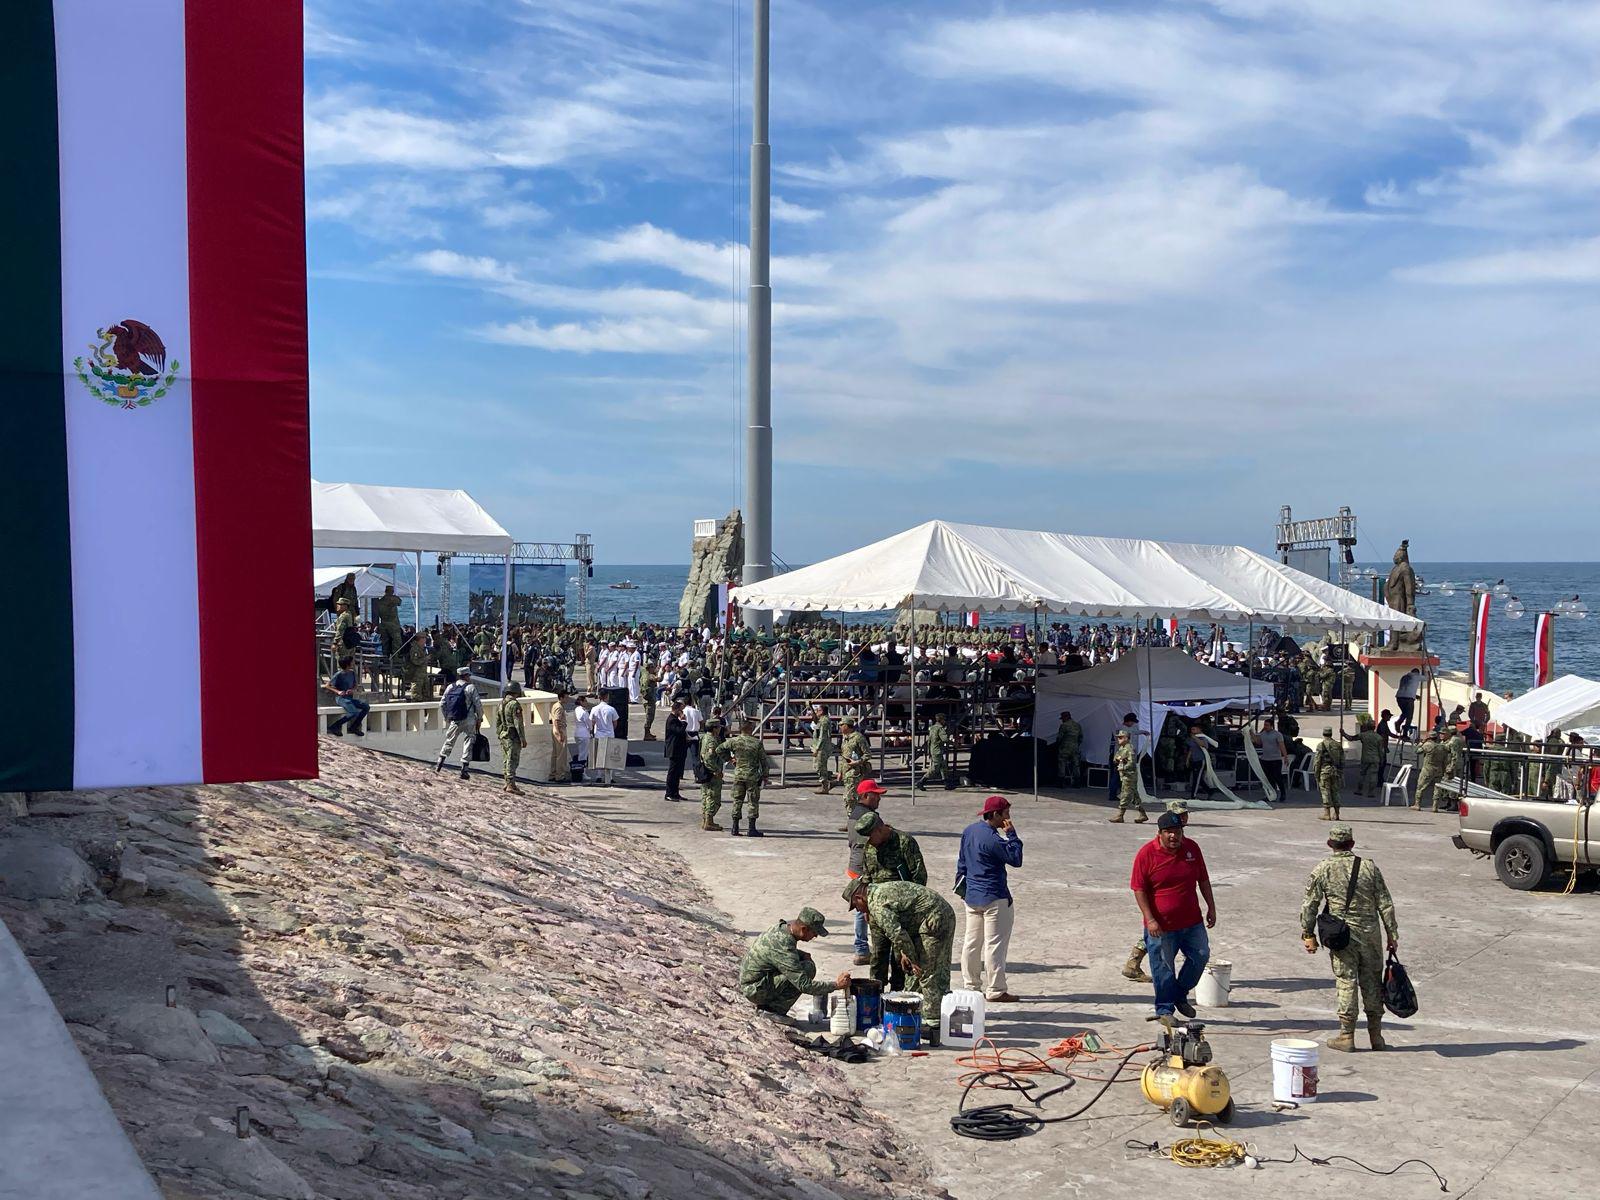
point(759, 404)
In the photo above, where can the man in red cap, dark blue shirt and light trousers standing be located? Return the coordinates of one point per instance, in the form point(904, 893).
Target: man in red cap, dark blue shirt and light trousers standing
point(990, 846)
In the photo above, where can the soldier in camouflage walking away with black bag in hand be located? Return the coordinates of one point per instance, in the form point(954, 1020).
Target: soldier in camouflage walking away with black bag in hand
point(1359, 967)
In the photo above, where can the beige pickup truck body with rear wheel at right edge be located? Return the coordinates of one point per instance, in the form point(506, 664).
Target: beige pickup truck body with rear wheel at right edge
point(1530, 839)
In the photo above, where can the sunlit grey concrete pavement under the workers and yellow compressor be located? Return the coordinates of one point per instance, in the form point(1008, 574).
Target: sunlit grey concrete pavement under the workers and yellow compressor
point(1494, 1081)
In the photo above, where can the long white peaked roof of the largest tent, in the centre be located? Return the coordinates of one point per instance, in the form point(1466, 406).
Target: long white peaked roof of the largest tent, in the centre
point(951, 567)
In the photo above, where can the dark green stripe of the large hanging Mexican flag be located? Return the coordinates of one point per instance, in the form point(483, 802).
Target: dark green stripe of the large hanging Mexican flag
point(36, 604)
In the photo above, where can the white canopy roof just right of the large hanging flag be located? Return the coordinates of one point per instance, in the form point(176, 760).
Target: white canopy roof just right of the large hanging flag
point(372, 518)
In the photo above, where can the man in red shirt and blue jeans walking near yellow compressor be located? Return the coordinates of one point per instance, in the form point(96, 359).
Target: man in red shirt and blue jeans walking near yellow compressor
point(1169, 878)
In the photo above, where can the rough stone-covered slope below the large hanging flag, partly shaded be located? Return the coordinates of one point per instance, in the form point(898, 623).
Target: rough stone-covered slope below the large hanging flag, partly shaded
point(418, 988)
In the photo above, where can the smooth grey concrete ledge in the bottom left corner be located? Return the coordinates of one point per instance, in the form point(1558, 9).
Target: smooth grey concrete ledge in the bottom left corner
point(58, 1137)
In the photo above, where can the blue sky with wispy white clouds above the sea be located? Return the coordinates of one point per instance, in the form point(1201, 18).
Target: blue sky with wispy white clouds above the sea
point(1116, 270)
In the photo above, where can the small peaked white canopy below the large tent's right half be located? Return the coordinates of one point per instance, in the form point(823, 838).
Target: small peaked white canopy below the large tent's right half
point(1148, 684)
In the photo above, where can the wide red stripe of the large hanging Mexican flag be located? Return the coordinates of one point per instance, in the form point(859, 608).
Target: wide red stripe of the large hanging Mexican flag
point(247, 297)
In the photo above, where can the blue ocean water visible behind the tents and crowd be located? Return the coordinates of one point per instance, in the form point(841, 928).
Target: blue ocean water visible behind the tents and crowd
point(1540, 586)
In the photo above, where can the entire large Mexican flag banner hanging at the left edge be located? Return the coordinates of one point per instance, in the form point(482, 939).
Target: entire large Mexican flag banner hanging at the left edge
point(154, 470)
